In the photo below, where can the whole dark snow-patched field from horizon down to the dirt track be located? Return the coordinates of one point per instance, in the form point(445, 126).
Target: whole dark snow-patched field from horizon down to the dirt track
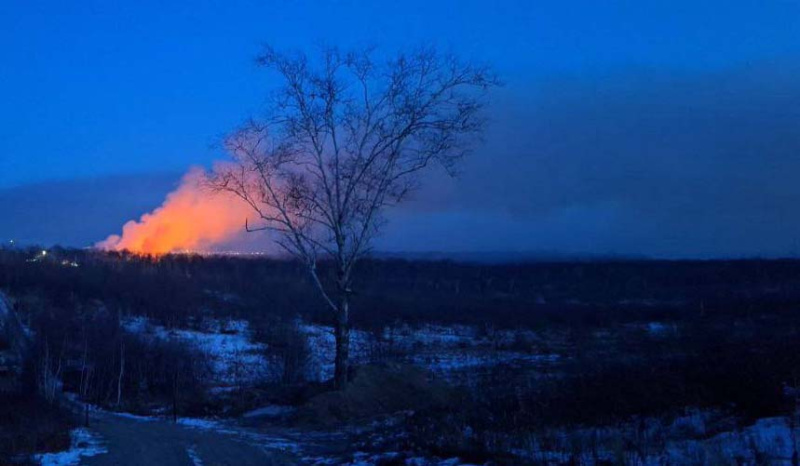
point(561, 362)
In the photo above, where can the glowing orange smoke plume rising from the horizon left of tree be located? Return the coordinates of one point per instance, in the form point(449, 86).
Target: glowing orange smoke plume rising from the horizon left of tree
point(191, 218)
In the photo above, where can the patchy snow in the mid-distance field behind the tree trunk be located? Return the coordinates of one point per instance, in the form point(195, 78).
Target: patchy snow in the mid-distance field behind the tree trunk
point(449, 351)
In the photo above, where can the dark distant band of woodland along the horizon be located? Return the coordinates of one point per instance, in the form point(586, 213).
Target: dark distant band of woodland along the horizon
point(596, 293)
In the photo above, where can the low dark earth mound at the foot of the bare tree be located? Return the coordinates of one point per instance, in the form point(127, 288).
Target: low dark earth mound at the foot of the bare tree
point(374, 391)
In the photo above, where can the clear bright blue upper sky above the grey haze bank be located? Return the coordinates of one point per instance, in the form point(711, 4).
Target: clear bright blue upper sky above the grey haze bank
point(103, 87)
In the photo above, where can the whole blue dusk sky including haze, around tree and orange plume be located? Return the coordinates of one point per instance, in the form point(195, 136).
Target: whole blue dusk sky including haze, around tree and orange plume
point(643, 127)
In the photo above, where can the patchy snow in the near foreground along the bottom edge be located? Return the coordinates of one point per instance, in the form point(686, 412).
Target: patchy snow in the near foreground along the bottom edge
point(694, 438)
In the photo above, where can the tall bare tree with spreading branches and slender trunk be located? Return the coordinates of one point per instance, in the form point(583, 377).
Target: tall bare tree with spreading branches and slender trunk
point(347, 136)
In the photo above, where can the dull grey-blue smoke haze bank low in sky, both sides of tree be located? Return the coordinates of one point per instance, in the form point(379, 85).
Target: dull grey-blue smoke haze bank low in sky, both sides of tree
point(642, 162)
